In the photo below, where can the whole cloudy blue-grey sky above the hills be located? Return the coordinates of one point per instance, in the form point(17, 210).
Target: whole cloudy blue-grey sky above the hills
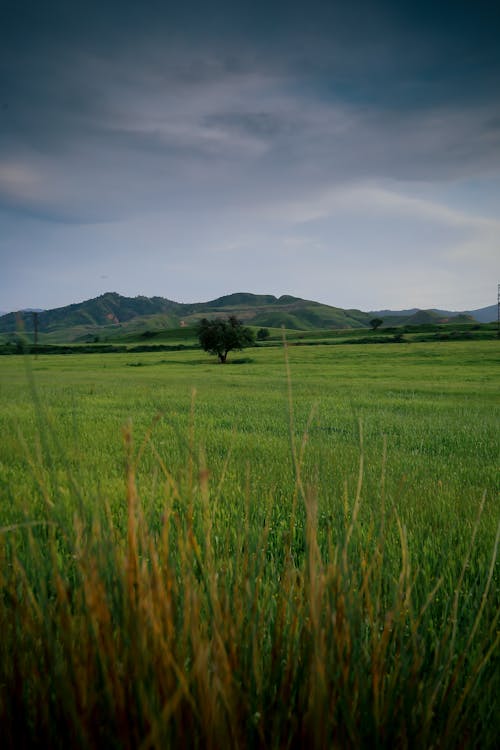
point(345, 152)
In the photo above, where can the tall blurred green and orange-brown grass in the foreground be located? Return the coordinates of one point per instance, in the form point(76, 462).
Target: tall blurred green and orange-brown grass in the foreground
point(214, 627)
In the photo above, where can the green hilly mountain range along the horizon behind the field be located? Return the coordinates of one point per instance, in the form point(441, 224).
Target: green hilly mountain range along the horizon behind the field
point(112, 313)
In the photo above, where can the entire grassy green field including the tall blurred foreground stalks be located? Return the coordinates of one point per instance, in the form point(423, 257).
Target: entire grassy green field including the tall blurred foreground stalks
point(294, 549)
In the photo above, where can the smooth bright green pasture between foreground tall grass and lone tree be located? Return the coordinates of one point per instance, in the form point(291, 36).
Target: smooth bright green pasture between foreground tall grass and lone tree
point(433, 407)
